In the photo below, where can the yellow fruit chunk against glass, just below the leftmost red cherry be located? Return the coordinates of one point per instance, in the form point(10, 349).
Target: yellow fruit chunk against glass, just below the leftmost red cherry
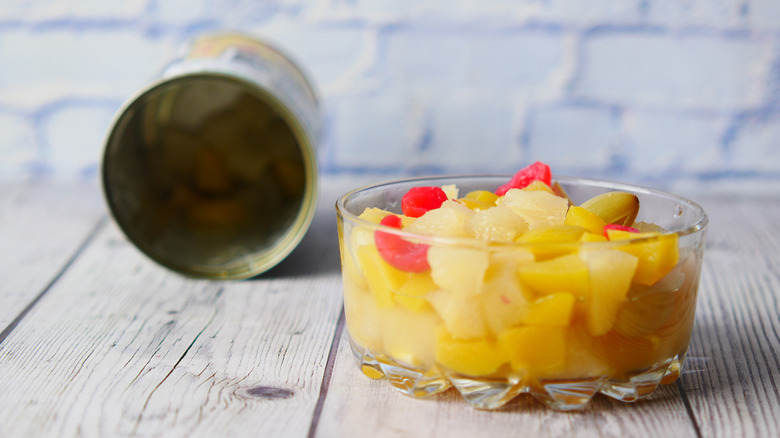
point(382, 278)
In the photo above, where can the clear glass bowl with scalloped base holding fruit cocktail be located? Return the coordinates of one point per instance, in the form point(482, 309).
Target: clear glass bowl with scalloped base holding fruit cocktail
point(561, 318)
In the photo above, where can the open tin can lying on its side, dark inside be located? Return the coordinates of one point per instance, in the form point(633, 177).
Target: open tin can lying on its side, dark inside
point(211, 169)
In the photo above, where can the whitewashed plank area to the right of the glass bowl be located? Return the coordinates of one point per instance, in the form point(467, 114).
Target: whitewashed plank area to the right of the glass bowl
point(733, 381)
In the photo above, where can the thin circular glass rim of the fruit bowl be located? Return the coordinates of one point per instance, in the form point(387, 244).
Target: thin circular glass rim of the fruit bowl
point(699, 225)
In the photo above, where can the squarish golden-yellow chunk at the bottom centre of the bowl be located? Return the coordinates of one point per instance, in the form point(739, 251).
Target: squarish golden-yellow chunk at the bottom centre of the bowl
point(541, 351)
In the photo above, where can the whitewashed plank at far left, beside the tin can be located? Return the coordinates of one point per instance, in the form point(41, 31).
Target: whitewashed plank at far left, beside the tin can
point(42, 225)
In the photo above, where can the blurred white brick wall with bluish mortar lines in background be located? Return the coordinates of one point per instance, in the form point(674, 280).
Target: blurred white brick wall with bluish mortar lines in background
point(681, 94)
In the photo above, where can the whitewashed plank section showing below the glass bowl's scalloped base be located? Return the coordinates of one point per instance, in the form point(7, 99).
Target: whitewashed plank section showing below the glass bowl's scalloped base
point(357, 404)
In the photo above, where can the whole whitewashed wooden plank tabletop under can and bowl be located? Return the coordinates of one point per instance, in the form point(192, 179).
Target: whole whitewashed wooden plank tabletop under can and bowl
point(99, 341)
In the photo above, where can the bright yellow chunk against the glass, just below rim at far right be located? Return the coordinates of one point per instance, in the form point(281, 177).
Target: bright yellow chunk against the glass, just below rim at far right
point(657, 255)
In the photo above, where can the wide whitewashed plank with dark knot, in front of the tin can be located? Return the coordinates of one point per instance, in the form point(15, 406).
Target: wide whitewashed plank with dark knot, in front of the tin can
point(122, 347)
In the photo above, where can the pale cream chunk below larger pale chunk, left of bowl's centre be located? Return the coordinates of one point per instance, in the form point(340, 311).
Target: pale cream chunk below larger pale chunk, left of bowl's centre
point(460, 315)
